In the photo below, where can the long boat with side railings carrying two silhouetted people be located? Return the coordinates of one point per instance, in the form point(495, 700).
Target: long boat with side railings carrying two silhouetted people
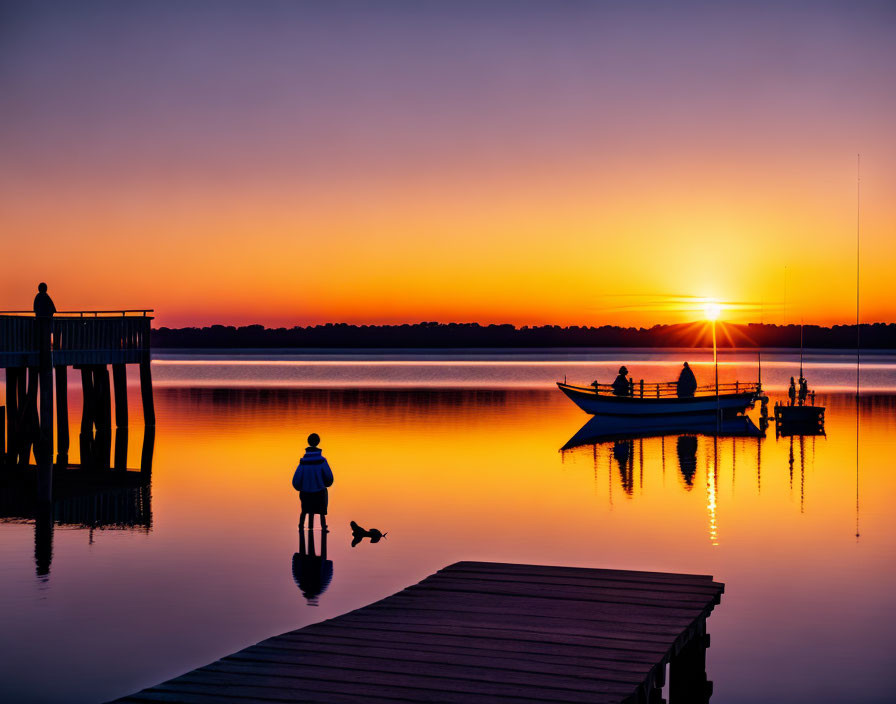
point(662, 400)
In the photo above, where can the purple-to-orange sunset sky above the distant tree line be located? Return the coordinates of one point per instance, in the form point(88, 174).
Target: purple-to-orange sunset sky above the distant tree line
point(491, 175)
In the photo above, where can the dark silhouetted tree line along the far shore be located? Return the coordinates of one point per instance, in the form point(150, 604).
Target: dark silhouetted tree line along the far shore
point(460, 335)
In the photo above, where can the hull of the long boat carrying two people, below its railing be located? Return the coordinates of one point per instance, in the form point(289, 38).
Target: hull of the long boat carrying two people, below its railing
point(603, 405)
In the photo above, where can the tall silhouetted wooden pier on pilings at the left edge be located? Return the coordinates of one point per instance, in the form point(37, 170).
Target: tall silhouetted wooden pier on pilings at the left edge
point(33, 348)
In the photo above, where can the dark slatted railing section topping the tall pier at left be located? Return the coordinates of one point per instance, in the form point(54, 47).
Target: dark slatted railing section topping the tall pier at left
point(77, 337)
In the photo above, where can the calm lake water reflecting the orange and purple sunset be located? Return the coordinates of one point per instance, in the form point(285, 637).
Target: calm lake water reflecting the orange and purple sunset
point(459, 459)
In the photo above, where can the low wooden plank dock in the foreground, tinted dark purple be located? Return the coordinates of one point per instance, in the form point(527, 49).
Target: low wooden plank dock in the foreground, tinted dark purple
point(484, 632)
